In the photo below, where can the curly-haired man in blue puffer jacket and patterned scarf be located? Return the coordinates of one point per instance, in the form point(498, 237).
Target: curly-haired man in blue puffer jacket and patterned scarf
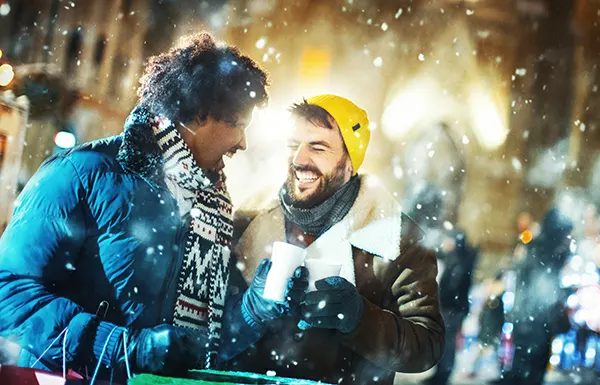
point(142, 222)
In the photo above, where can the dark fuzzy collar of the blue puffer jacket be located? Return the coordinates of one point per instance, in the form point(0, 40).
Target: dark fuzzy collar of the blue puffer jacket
point(139, 152)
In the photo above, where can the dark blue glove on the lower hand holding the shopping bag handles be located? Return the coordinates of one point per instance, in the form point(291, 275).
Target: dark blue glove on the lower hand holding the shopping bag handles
point(165, 349)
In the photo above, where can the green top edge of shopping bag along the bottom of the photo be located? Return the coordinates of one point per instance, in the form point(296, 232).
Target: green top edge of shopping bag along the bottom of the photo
point(211, 377)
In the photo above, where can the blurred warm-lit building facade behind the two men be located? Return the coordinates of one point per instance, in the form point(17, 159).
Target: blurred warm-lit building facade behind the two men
point(489, 100)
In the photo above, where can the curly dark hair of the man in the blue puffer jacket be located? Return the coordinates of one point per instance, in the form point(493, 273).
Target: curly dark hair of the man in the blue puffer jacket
point(201, 77)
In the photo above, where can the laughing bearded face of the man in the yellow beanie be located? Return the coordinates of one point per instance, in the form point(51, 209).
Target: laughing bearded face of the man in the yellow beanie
point(318, 163)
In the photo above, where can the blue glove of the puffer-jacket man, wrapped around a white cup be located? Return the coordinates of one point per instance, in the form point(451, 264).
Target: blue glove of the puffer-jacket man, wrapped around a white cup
point(258, 310)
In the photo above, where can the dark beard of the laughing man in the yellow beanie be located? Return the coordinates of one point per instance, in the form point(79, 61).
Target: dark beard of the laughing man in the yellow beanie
point(326, 188)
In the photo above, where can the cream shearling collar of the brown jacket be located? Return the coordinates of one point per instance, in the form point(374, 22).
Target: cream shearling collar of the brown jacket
point(373, 224)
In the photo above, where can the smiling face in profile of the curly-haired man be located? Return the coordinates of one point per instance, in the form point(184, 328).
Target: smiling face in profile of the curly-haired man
point(211, 140)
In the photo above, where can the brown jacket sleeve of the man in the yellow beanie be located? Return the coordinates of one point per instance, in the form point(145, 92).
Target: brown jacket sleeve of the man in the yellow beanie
point(407, 333)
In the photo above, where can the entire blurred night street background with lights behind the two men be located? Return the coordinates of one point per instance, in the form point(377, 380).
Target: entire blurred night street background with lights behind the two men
point(484, 117)
